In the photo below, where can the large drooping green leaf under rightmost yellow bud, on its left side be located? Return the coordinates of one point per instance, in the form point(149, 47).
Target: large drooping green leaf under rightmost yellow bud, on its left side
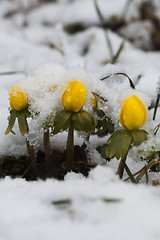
point(119, 144)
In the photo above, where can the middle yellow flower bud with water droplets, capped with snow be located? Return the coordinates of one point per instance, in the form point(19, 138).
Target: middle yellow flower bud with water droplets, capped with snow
point(74, 96)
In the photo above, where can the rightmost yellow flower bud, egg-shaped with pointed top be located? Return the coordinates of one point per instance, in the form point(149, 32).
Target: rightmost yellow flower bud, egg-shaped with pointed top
point(133, 113)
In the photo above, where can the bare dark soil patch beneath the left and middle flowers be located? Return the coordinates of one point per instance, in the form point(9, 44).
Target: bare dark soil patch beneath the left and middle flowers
point(53, 167)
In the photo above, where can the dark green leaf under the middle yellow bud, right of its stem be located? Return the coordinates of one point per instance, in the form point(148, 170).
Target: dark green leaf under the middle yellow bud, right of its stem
point(83, 121)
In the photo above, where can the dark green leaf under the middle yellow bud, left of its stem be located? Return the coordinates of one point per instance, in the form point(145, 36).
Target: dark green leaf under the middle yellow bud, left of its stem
point(61, 121)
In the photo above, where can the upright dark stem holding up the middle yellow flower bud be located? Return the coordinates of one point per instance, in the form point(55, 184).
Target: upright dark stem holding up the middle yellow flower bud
point(70, 147)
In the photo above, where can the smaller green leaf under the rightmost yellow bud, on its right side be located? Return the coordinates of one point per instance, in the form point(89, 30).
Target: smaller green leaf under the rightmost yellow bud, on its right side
point(138, 136)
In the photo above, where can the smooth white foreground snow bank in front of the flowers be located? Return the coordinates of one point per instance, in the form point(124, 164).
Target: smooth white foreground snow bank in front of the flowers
point(30, 213)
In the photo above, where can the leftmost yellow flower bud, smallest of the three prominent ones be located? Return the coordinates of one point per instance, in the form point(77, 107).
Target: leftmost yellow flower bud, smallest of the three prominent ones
point(18, 99)
